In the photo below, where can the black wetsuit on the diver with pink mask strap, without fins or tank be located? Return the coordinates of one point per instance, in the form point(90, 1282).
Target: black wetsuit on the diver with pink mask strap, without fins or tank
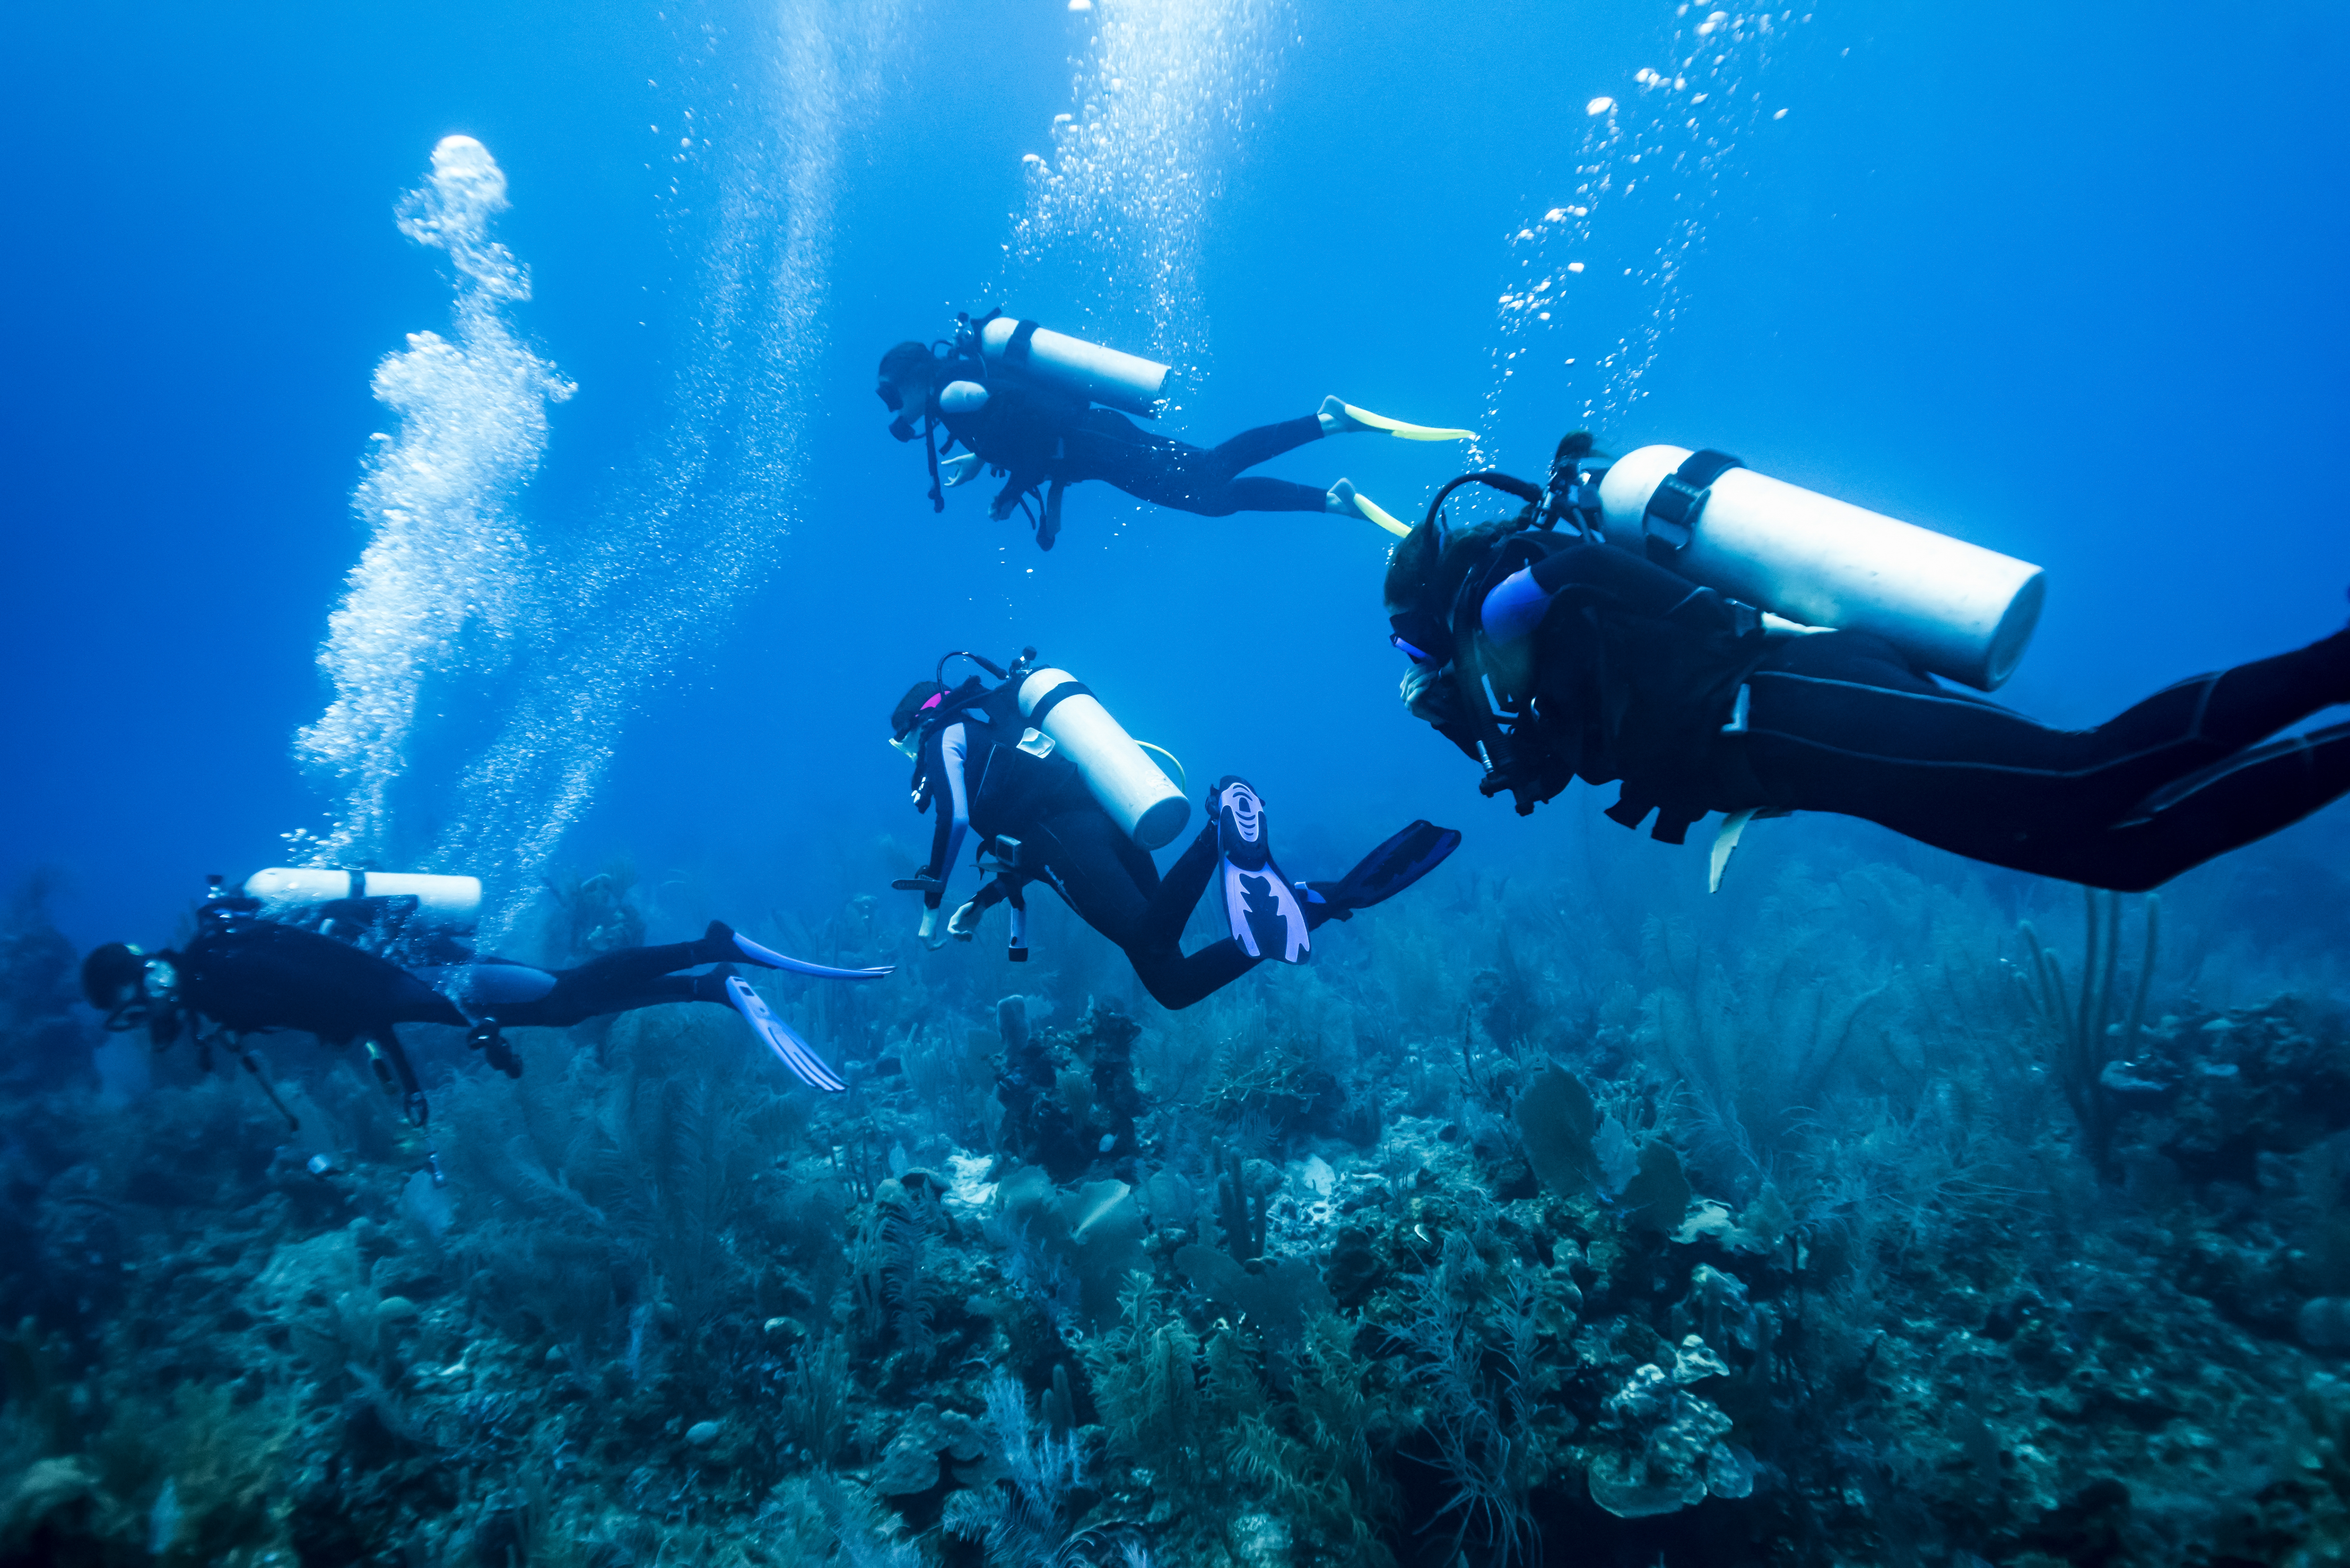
point(974, 770)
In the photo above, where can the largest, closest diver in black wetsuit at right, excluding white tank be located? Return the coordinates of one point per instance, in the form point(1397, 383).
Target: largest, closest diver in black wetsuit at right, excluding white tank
point(1604, 666)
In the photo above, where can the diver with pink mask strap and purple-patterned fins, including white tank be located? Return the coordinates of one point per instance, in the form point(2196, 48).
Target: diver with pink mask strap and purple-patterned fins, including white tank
point(1061, 793)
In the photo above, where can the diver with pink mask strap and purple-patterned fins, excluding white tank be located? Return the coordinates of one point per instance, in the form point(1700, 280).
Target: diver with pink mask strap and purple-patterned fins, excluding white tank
point(1042, 824)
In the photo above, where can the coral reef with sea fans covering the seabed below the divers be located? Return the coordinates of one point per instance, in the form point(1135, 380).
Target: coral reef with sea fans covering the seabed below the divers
point(1888, 1233)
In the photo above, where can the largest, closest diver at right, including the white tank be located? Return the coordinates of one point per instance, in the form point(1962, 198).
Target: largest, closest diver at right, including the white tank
point(1576, 641)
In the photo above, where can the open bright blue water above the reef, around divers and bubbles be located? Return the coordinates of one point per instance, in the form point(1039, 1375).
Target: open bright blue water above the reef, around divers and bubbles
point(2057, 286)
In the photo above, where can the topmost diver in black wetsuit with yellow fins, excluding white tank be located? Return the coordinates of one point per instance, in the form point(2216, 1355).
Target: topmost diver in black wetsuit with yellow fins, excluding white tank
point(1047, 438)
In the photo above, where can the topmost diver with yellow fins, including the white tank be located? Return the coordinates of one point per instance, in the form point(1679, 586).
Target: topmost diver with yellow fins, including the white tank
point(1021, 403)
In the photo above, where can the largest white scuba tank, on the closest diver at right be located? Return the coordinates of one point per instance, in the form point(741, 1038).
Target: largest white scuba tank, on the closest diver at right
point(1954, 608)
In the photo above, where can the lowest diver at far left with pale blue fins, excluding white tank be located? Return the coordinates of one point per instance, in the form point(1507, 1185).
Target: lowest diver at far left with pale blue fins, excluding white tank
point(246, 974)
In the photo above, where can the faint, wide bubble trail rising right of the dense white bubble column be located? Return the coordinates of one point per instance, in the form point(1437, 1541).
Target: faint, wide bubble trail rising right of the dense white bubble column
point(671, 561)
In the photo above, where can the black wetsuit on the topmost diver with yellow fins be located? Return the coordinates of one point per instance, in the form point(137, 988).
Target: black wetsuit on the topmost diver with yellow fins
point(1038, 438)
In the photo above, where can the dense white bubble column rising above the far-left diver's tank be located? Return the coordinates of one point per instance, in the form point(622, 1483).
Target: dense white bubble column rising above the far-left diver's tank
point(443, 579)
